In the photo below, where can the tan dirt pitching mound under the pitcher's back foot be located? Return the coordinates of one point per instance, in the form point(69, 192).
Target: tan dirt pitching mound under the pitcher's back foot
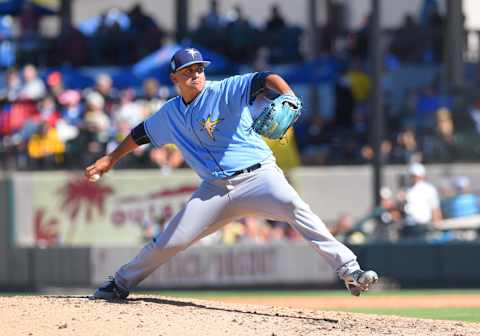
point(153, 315)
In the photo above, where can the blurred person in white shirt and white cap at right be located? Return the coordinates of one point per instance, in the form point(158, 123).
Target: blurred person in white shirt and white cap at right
point(421, 203)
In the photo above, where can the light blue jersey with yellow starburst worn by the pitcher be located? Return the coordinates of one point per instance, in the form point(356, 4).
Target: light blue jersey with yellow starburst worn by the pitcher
point(214, 132)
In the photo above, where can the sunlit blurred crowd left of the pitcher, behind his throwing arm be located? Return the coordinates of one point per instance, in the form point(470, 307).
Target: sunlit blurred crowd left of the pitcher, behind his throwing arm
point(45, 125)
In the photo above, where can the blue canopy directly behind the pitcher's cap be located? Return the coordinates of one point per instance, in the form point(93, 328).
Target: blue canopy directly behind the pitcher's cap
point(157, 64)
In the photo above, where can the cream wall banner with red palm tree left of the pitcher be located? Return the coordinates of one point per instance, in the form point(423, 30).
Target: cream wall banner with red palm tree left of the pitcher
point(121, 209)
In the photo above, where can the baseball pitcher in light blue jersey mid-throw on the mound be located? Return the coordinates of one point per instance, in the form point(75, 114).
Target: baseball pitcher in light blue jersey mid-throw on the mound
point(214, 125)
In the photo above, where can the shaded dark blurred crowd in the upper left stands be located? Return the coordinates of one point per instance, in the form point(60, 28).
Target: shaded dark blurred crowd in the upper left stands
point(115, 37)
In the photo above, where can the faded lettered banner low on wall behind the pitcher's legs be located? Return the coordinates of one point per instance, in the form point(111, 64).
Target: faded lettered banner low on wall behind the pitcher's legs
point(222, 266)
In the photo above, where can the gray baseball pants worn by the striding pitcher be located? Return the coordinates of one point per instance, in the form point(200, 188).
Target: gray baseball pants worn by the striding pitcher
point(265, 193)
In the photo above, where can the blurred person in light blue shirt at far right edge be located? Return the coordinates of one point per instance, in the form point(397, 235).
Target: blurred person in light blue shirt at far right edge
point(464, 202)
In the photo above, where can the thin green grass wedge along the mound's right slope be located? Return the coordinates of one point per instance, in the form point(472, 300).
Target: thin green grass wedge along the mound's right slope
point(459, 314)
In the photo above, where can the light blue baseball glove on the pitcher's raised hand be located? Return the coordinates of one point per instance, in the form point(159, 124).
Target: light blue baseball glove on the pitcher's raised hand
point(277, 117)
